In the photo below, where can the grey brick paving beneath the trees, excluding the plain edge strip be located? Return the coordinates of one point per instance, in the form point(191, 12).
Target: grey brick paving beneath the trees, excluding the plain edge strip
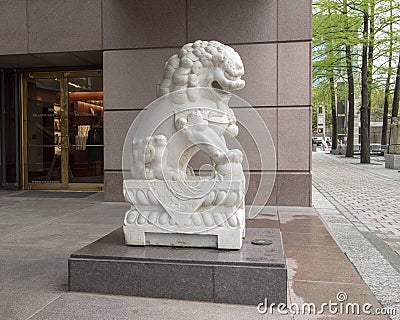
point(367, 194)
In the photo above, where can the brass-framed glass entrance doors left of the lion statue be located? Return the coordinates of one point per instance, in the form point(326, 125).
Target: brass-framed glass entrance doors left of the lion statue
point(63, 131)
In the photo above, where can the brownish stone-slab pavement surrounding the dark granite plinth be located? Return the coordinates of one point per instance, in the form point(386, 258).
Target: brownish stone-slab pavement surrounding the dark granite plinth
point(37, 235)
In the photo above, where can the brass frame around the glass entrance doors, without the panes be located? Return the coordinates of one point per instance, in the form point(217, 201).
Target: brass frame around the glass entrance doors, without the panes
point(64, 184)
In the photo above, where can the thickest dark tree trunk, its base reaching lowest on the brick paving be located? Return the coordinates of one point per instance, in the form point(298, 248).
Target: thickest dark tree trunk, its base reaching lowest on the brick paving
point(365, 141)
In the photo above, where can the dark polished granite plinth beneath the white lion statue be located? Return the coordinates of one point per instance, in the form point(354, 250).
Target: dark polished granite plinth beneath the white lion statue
point(245, 276)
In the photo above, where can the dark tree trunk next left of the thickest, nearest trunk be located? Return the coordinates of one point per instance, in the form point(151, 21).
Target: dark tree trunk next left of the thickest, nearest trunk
point(350, 120)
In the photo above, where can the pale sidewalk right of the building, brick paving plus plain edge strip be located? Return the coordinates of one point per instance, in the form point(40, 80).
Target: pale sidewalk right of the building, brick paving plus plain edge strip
point(360, 205)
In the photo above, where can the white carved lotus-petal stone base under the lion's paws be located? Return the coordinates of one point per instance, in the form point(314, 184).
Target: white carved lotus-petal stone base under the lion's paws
point(158, 216)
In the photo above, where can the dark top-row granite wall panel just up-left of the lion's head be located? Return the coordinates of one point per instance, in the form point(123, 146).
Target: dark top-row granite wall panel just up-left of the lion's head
point(144, 23)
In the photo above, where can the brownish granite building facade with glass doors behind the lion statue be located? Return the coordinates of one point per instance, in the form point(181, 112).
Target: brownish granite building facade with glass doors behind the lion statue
point(74, 74)
